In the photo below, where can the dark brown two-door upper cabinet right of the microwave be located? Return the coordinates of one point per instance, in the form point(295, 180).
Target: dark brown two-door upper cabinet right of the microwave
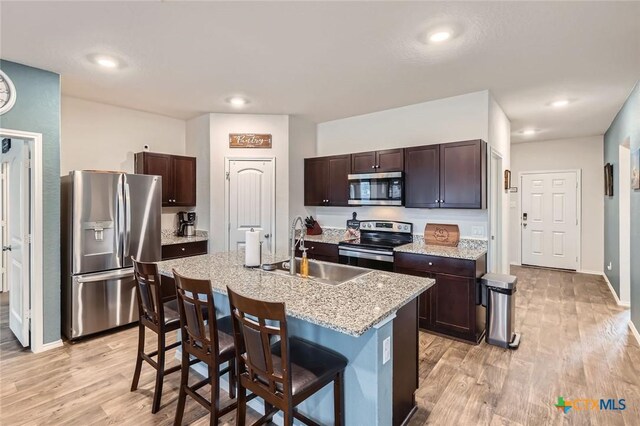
point(452, 175)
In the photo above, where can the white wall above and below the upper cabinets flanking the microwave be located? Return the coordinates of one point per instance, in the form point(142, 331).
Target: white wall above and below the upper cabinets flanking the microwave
point(445, 120)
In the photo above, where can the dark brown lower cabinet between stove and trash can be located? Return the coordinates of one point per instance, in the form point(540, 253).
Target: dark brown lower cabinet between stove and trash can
point(449, 307)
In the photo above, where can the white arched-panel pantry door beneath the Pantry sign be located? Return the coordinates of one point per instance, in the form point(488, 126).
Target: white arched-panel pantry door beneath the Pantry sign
point(251, 202)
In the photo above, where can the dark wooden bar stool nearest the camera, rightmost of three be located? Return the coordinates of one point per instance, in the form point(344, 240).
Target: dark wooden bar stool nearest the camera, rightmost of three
point(284, 373)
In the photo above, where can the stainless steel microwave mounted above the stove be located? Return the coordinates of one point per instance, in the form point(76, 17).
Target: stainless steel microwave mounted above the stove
point(376, 189)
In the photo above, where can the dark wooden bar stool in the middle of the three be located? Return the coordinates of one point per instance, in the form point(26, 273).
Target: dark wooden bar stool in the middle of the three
point(211, 343)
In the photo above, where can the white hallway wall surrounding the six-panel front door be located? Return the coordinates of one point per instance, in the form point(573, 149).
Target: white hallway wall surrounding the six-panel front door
point(585, 153)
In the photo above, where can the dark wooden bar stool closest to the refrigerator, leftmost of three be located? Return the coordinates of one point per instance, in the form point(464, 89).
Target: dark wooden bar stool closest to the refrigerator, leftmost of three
point(158, 316)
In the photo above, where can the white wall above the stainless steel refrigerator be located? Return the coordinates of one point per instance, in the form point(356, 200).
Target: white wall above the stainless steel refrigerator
point(103, 137)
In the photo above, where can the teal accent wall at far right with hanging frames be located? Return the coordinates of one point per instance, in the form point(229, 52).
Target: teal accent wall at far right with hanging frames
point(625, 125)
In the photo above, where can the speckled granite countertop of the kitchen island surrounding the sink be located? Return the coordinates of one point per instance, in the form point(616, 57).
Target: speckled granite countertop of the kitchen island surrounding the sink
point(351, 308)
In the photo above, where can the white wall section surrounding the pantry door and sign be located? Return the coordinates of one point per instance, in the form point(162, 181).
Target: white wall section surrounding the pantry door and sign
point(220, 127)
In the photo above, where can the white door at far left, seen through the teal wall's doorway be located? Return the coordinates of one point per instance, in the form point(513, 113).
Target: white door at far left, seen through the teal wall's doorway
point(18, 258)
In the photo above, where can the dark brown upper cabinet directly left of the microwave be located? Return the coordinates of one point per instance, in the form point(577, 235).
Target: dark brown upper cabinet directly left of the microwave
point(326, 181)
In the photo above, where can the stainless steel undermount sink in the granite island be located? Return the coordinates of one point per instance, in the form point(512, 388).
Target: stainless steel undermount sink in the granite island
point(327, 273)
